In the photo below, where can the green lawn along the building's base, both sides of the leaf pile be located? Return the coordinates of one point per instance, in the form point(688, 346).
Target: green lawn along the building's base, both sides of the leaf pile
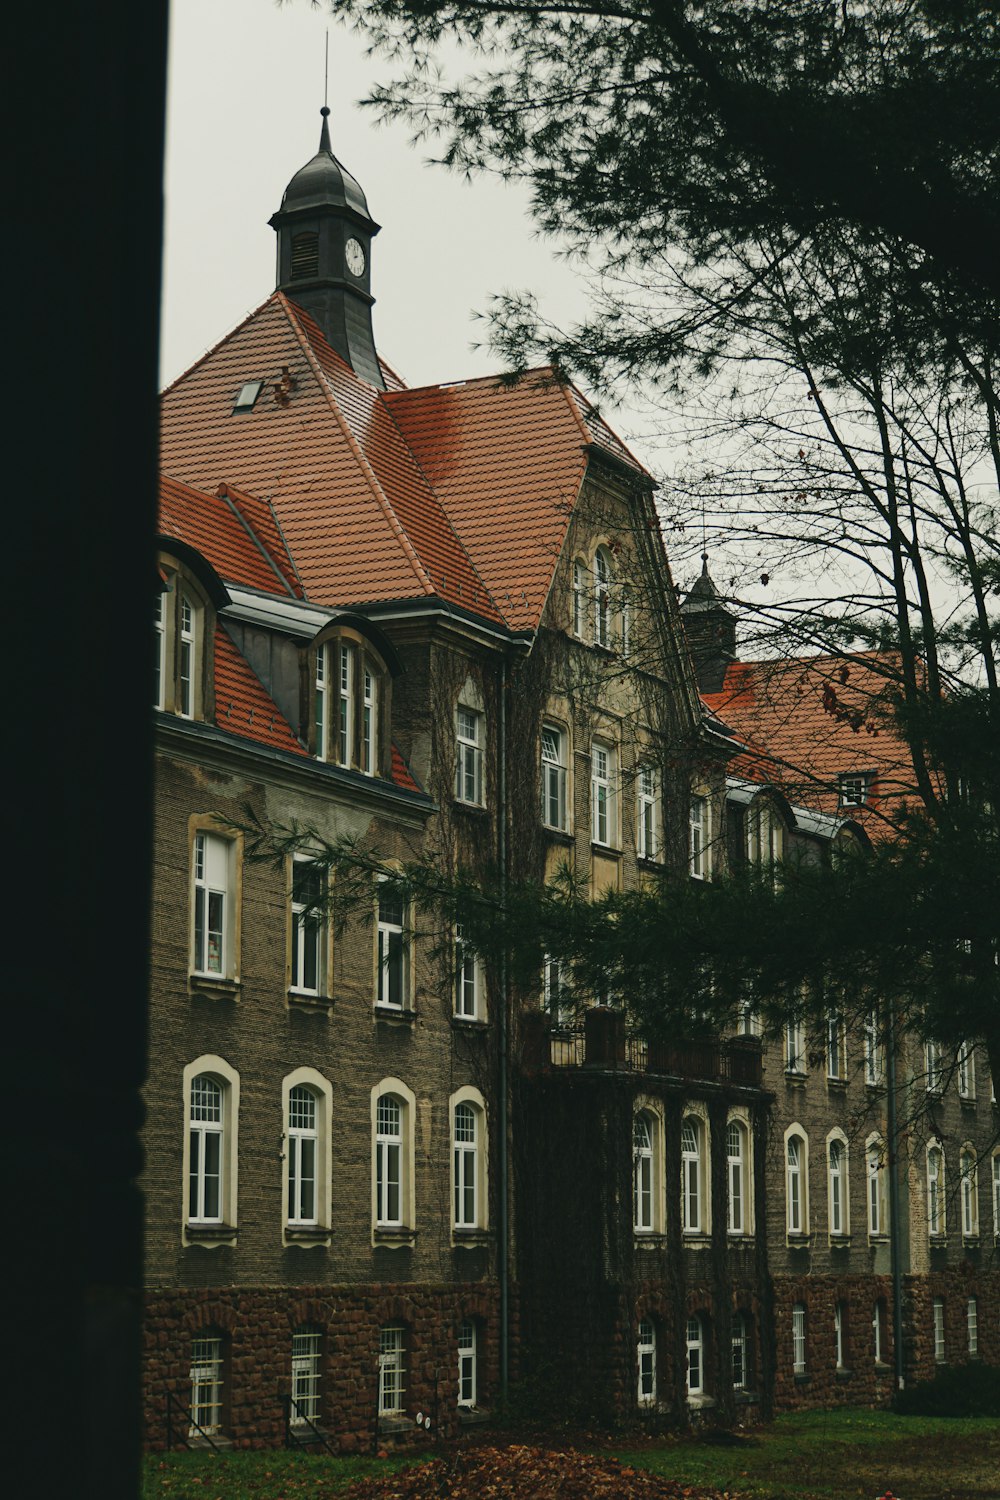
point(818, 1456)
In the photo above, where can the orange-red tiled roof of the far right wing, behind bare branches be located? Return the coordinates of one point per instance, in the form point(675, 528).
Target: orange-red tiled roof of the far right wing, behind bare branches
point(809, 721)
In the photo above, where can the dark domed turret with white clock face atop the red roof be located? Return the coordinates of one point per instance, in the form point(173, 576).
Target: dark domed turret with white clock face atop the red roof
point(325, 247)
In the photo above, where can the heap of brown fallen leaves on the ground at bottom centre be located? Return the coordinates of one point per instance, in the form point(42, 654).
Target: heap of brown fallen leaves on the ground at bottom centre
point(527, 1474)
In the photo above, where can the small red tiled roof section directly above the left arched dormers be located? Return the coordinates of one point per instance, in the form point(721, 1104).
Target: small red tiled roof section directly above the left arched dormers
point(226, 535)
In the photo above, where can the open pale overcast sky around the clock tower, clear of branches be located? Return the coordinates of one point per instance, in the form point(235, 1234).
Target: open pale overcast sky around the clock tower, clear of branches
point(247, 83)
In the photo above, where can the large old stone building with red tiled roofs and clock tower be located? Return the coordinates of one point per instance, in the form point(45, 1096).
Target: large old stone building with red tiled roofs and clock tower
point(386, 1180)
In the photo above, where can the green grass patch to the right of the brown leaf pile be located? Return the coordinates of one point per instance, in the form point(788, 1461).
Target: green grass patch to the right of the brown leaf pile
point(843, 1456)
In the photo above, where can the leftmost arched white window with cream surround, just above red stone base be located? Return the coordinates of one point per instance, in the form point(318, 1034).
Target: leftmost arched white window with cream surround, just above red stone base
point(211, 1157)
